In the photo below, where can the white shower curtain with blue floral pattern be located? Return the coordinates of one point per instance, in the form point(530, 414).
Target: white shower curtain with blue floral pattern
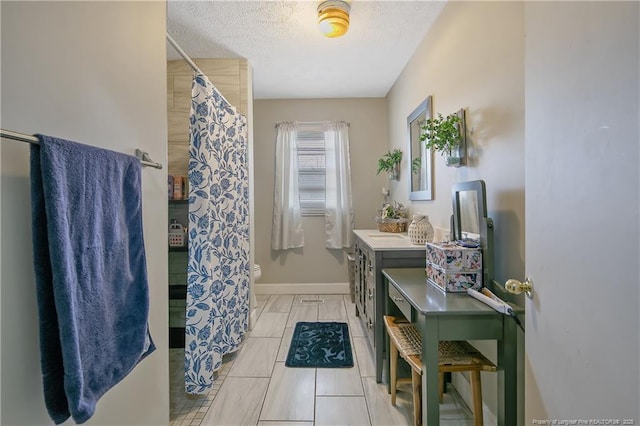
point(217, 310)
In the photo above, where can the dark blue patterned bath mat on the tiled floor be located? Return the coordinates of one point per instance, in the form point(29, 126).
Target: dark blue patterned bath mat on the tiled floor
point(320, 345)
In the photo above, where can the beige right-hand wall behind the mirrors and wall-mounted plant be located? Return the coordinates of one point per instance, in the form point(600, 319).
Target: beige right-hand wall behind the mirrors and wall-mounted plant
point(473, 58)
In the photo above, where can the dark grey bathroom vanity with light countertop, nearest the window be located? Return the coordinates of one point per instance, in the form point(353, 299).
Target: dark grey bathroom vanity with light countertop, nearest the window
point(375, 250)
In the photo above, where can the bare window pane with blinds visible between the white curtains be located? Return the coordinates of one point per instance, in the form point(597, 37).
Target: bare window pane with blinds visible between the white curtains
point(311, 169)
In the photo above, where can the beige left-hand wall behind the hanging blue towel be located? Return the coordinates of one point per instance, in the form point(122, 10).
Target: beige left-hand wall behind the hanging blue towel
point(93, 72)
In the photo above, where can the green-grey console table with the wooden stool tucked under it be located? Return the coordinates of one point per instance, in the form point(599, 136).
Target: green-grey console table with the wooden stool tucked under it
point(455, 316)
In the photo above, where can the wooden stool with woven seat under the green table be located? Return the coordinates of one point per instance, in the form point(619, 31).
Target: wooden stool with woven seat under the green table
point(405, 340)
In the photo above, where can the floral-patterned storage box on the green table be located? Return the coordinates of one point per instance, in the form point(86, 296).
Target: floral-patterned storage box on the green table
point(454, 268)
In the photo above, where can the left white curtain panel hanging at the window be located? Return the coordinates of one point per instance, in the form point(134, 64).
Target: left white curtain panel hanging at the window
point(287, 230)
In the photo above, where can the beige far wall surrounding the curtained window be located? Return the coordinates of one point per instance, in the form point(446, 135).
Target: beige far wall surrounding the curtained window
point(368, 141)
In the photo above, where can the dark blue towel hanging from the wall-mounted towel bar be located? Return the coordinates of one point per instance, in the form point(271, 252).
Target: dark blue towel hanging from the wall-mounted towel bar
point(90, 267)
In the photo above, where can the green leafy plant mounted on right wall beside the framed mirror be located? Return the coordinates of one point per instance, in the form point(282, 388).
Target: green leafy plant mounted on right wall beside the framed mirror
point(446, 134)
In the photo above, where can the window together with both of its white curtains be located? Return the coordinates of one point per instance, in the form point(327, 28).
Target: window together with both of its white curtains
point(316, 155)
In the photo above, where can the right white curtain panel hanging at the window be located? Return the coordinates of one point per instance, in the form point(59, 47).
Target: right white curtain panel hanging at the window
point(339, 209)
